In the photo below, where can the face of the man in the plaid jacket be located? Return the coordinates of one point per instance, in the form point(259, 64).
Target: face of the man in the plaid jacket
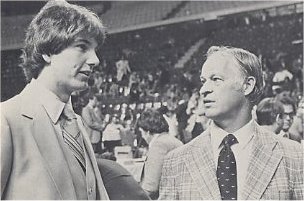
point(221, 88)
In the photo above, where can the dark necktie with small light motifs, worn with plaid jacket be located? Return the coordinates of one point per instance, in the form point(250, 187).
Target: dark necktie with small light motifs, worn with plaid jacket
point(226, 169)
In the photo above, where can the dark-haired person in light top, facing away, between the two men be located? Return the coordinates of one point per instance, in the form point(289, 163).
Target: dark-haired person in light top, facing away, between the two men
point(155, 131)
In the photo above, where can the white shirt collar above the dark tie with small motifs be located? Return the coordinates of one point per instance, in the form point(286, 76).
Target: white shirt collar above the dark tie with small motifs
point(243, 135)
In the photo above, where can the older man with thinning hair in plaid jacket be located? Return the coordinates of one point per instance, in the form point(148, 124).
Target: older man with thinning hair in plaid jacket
point(234, 158)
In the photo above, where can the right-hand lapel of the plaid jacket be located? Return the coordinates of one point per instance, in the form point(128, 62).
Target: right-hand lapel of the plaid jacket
point(263, 163)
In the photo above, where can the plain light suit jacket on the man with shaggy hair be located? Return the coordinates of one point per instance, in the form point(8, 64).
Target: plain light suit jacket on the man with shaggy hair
point(33, 164)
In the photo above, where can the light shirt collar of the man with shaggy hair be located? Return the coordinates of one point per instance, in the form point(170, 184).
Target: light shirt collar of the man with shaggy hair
point(50, 101)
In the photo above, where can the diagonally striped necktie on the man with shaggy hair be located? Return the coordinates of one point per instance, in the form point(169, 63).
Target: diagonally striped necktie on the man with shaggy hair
point(71, 134)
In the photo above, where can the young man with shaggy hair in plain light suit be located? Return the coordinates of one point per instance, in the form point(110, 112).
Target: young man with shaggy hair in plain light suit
point(45, 150)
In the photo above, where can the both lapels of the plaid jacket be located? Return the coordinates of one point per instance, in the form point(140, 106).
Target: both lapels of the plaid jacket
point(264, 160)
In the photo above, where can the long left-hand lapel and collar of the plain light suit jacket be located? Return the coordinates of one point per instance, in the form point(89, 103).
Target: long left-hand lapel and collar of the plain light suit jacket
point(46, 139)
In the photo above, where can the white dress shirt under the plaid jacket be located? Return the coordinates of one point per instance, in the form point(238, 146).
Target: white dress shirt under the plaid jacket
point(241, 150)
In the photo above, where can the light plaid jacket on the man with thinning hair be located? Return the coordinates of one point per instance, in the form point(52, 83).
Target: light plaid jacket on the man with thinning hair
point(275, 170)
